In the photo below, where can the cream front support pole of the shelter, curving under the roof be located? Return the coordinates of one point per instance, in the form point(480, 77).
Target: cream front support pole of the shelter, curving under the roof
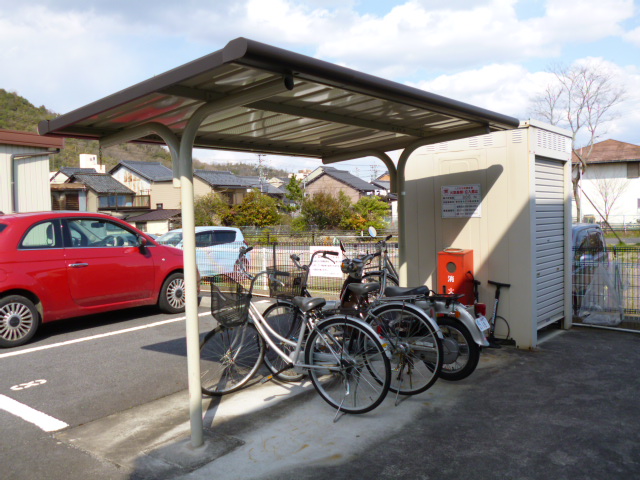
point(189, 239)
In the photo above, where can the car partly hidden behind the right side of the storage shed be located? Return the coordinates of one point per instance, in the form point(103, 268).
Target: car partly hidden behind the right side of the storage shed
point(589, 252)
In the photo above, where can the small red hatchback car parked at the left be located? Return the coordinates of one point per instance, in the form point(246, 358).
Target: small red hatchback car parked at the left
point(56, 265)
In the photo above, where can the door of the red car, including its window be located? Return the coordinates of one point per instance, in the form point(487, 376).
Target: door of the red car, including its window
point(104, 264)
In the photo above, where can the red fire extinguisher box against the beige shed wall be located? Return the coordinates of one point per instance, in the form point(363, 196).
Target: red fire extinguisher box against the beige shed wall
point(453, 265)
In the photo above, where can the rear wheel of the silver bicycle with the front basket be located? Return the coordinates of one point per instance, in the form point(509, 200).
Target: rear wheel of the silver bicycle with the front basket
point(348, 365)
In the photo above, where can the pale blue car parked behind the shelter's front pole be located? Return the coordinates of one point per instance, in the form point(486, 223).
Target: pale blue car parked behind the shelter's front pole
point(217, 248)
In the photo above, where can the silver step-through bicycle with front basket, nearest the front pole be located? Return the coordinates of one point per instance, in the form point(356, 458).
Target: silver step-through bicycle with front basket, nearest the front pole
point(348, 364)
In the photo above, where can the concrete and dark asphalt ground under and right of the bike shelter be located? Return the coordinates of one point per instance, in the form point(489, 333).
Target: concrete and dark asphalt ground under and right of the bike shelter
point(568, 410)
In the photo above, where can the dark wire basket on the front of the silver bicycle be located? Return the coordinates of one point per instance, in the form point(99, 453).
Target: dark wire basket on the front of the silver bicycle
point(229, 301)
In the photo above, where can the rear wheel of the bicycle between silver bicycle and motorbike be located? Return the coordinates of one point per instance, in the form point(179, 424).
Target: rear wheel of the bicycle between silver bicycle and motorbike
point(416, 349)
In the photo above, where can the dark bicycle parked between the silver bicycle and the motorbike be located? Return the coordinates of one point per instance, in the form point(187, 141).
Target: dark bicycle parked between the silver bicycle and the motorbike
point(413, 338)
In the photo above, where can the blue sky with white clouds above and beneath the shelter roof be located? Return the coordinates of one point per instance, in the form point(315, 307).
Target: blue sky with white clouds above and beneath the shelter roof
point(495, 54)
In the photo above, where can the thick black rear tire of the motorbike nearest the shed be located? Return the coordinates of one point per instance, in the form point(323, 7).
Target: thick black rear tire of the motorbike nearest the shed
point(469, 351)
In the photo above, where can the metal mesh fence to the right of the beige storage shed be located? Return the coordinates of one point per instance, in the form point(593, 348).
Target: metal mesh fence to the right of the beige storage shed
point(607, 284)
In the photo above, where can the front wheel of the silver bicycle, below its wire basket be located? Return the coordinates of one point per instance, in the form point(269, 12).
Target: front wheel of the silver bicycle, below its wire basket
point(229, 358)
